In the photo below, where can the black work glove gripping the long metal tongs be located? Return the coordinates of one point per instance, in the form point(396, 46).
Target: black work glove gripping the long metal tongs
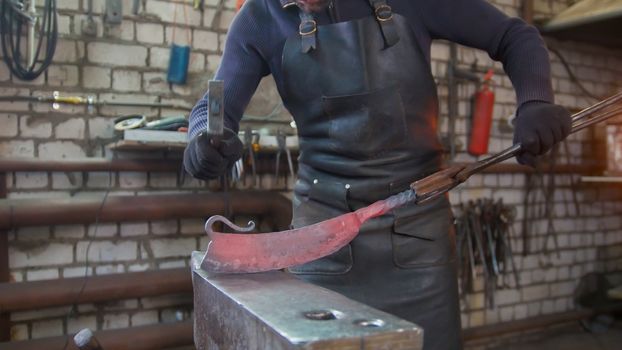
point(538, 127)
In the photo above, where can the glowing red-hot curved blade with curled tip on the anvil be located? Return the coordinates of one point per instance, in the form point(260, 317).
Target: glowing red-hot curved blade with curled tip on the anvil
point(243, 253)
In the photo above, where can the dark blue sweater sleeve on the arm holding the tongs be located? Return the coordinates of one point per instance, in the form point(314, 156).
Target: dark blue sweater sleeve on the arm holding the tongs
point(517, 45)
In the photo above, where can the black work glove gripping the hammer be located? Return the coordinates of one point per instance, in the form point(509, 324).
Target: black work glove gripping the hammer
point(205, 160)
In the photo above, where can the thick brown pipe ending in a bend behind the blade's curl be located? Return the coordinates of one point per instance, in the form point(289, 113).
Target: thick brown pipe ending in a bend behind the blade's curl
point(37, 212)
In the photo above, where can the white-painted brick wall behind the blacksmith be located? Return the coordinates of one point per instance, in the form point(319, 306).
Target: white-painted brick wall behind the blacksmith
point(129, 62)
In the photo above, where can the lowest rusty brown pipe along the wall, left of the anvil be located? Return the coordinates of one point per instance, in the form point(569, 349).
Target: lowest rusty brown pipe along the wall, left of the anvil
point(152, 337)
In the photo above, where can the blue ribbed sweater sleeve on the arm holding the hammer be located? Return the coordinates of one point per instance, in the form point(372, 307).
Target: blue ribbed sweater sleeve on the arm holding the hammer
point(241, 68)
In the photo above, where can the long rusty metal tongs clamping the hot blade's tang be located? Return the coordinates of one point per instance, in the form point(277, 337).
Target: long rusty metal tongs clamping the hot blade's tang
point(441, 182)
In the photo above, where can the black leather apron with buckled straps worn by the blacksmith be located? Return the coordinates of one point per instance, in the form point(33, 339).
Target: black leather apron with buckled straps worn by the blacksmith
point(365, 103)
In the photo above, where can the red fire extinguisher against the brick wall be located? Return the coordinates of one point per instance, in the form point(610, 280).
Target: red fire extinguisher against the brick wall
point(484, 101)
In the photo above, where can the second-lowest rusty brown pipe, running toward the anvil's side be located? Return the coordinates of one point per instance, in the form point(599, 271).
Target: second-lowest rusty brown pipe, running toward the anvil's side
point(41, 294)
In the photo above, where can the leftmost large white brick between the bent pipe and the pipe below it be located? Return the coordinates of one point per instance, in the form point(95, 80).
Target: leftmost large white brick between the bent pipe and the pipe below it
point(41, 255)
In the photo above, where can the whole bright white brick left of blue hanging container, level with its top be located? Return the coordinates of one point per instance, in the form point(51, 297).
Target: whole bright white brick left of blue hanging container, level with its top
point(117, 55)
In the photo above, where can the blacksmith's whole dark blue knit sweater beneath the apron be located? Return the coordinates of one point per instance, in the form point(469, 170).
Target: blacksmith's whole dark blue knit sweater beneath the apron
point(257, 34)
